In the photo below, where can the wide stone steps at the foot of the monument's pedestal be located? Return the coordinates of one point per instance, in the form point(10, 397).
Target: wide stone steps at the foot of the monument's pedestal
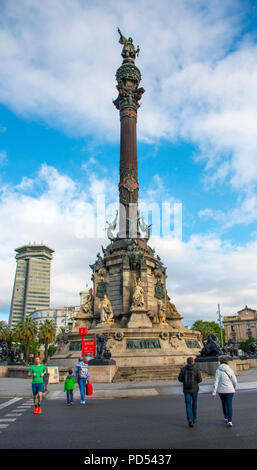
point(147, 373)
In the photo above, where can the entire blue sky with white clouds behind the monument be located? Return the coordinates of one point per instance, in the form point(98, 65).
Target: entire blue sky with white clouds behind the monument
point(197, 140)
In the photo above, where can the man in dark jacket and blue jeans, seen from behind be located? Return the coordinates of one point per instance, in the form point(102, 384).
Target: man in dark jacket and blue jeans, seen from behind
point(190, 376)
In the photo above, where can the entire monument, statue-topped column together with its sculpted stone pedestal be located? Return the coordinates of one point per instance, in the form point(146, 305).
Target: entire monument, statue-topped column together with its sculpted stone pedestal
point(128, 302)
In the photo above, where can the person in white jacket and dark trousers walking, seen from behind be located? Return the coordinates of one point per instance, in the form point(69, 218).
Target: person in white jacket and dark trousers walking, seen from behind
point(225, 384)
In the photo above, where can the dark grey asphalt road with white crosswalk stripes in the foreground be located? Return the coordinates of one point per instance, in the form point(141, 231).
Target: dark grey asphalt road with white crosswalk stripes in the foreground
point(131, 423)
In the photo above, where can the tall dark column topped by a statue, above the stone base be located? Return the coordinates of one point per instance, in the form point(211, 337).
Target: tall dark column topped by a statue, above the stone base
point(128, 77)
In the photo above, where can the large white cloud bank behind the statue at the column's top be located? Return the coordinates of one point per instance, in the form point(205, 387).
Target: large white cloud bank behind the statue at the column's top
point(59, 60)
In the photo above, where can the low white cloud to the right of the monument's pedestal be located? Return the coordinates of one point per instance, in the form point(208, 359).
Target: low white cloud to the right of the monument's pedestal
point(206, 271)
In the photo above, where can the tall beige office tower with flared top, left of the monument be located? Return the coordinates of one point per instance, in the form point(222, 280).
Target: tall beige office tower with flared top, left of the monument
point(31, 288)
